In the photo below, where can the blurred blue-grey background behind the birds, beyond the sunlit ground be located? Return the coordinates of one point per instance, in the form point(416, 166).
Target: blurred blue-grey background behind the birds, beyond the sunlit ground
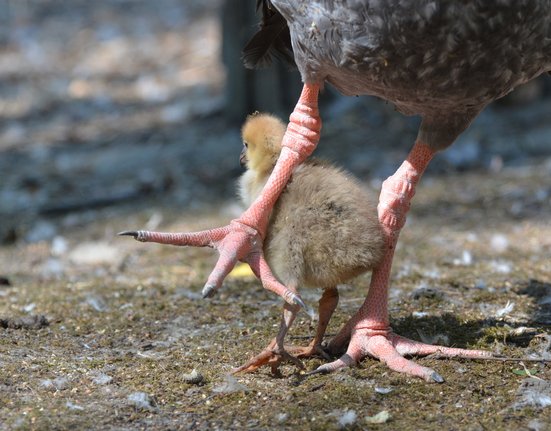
point(126, 104)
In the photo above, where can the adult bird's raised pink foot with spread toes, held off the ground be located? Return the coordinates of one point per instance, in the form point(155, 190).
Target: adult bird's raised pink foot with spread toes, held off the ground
point(234, 242)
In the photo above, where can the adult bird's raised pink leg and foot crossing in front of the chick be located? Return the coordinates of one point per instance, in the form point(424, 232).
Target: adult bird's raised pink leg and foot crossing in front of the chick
point(242, 238)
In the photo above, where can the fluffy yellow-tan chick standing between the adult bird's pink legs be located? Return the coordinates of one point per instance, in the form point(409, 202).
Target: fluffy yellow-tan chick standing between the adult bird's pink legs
point(322, 232)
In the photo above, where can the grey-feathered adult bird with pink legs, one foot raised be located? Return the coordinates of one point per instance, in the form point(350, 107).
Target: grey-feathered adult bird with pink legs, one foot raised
point(444, 60)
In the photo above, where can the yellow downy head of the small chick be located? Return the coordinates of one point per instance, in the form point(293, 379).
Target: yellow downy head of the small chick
point(262, 135)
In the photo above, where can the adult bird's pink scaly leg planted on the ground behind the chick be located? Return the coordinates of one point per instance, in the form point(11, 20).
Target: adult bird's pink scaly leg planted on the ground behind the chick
point(368, 330)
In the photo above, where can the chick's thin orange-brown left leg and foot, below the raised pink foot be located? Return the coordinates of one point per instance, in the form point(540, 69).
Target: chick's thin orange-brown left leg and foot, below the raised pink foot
point(275, 353)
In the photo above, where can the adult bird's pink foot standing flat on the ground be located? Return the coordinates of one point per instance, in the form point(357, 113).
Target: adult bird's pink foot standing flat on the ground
point(391, 349)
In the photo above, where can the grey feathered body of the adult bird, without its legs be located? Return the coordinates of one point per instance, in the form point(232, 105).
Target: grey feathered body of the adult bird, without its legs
point(442, 59)
